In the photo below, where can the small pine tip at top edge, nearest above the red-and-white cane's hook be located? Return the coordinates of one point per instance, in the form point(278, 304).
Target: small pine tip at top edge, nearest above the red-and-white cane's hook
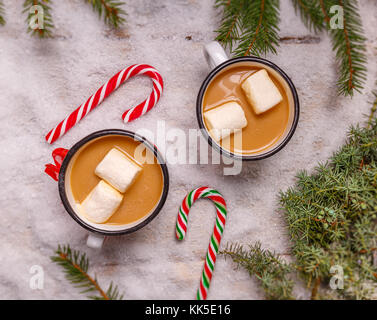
point(111, 10)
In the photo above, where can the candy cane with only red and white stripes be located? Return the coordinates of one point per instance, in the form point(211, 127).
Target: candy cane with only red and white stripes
point(104, 91)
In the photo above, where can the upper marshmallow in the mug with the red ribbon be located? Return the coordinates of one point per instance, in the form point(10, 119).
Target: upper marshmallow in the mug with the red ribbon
point(118, 169)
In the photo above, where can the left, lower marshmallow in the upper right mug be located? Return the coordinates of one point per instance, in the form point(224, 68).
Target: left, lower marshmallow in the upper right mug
point(225, 120)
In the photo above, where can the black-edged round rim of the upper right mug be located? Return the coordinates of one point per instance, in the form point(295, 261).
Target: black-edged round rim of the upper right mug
point(247, 157)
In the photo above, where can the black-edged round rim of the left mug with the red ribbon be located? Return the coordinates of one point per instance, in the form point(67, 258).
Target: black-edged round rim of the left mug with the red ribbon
point(98, 134)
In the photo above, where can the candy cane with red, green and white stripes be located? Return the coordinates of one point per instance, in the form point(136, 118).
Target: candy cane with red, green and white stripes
point(214, 244)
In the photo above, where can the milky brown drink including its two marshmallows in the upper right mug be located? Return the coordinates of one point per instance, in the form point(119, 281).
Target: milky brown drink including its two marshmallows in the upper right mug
point(246, 100)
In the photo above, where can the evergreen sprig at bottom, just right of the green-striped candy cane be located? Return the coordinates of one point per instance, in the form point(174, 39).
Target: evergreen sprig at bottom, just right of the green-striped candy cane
point(266, 266)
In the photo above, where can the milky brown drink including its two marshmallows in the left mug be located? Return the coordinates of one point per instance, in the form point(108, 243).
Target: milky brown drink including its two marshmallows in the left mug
point(112, 184)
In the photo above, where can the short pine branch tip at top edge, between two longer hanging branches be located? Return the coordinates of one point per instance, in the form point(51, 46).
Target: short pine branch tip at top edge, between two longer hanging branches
point(311, 14)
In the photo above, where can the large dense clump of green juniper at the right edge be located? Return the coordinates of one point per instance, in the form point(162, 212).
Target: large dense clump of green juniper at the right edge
point(332, 213)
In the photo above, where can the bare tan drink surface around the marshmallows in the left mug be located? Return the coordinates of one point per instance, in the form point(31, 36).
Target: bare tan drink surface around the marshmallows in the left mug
point(139, 199)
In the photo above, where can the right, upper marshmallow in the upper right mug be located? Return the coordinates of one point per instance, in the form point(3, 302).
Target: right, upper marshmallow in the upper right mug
point(261, 91)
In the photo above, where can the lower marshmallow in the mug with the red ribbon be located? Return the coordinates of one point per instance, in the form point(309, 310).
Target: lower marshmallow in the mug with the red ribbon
point(101, 203)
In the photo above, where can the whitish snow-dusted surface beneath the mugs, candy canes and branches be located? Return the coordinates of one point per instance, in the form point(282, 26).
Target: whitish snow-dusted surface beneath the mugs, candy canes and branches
point(41, 81)
